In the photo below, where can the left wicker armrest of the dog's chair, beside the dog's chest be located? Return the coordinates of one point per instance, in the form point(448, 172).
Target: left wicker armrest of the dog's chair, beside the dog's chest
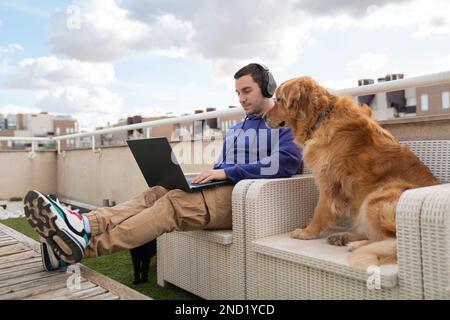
point(275, 206)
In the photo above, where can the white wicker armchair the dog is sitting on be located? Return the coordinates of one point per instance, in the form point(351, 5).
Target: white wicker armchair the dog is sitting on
point(279, 267)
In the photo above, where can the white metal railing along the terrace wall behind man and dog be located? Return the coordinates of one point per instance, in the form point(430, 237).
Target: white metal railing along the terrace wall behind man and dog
point(420, 81)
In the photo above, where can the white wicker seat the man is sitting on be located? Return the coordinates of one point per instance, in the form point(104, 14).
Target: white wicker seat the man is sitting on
point(210, 264)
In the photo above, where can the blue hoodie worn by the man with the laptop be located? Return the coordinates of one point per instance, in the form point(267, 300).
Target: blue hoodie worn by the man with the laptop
point(252, 150)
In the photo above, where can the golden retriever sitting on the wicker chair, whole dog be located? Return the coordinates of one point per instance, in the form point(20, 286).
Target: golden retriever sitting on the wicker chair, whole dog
point(360, 168)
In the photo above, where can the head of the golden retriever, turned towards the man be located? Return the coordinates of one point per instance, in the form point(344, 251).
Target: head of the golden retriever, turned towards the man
point(299, 102)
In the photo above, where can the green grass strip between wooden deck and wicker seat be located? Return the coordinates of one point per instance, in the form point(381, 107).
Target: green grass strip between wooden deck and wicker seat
point(117, 266)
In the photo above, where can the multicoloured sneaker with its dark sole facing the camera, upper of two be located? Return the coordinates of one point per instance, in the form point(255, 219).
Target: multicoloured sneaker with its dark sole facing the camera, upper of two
point(62, 228)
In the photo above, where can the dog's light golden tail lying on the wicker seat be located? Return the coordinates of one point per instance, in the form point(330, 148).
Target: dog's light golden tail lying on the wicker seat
point(375, 253)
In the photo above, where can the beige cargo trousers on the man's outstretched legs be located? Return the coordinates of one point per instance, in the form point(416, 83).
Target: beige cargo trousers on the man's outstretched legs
point(154, 212)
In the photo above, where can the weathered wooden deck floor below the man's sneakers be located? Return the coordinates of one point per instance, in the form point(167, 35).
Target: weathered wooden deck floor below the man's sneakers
point(22, 276)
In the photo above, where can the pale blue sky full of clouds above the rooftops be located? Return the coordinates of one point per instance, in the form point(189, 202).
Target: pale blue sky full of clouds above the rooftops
point(102, 60)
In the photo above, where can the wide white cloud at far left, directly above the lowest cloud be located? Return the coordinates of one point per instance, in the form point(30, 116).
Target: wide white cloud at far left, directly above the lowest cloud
point(50, 72)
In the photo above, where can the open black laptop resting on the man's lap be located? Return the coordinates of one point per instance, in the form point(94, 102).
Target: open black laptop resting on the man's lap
point(154, 158)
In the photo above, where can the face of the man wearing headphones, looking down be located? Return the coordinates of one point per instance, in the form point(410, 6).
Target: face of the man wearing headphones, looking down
point(249, 94)
